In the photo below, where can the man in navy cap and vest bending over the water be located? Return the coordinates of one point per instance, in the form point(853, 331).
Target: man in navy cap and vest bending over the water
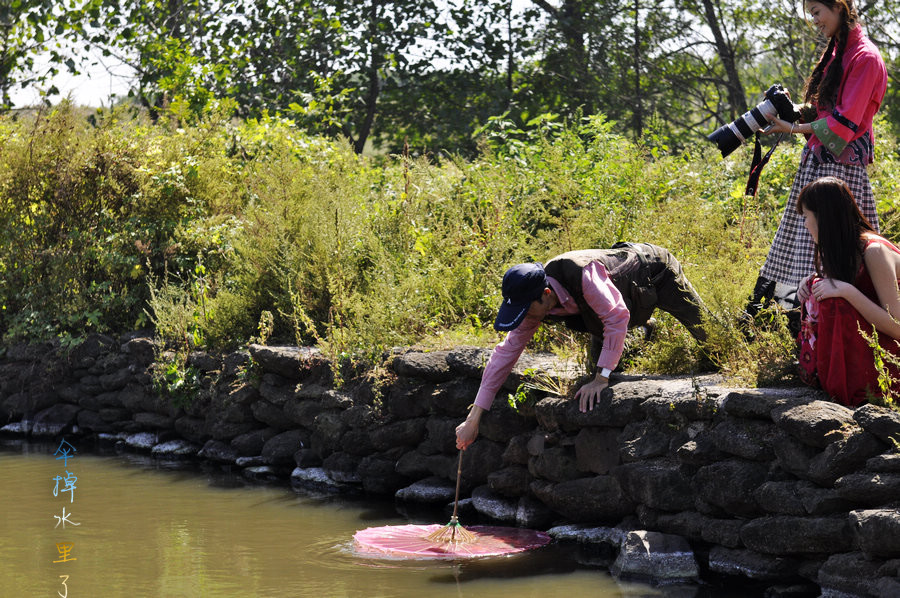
point(600, 291)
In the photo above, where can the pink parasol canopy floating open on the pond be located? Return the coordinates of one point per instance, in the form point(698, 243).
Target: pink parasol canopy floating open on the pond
point(410, 541)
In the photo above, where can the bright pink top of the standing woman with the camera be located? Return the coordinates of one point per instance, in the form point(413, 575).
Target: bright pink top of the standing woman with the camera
point(862, 89)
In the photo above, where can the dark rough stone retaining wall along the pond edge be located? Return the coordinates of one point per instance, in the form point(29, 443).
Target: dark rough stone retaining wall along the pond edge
point(671, 478)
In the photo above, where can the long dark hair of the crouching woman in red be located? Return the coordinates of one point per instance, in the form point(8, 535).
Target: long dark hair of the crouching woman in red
point(841, 227)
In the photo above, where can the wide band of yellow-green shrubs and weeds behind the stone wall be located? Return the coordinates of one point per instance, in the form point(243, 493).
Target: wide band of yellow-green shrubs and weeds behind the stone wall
point(210, 231)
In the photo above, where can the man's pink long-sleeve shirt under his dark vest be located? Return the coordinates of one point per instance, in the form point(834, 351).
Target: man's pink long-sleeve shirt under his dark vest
point(599, 293)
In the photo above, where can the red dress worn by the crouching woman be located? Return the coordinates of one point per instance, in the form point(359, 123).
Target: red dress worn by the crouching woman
point(843, 360)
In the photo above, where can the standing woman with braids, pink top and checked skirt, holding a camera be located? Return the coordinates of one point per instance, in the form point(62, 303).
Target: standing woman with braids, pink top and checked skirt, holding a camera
point(845, 90)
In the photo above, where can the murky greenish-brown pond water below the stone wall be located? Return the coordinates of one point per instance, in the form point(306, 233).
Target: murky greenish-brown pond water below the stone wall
point(148, 530)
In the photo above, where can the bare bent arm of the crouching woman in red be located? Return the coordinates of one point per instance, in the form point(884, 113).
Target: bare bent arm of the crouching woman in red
point(880, 264)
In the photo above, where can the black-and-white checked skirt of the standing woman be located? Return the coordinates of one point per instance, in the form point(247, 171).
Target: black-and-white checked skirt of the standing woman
point(790, 258)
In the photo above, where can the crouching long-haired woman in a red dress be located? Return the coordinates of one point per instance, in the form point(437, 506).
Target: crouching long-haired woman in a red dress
point(854, 289)
